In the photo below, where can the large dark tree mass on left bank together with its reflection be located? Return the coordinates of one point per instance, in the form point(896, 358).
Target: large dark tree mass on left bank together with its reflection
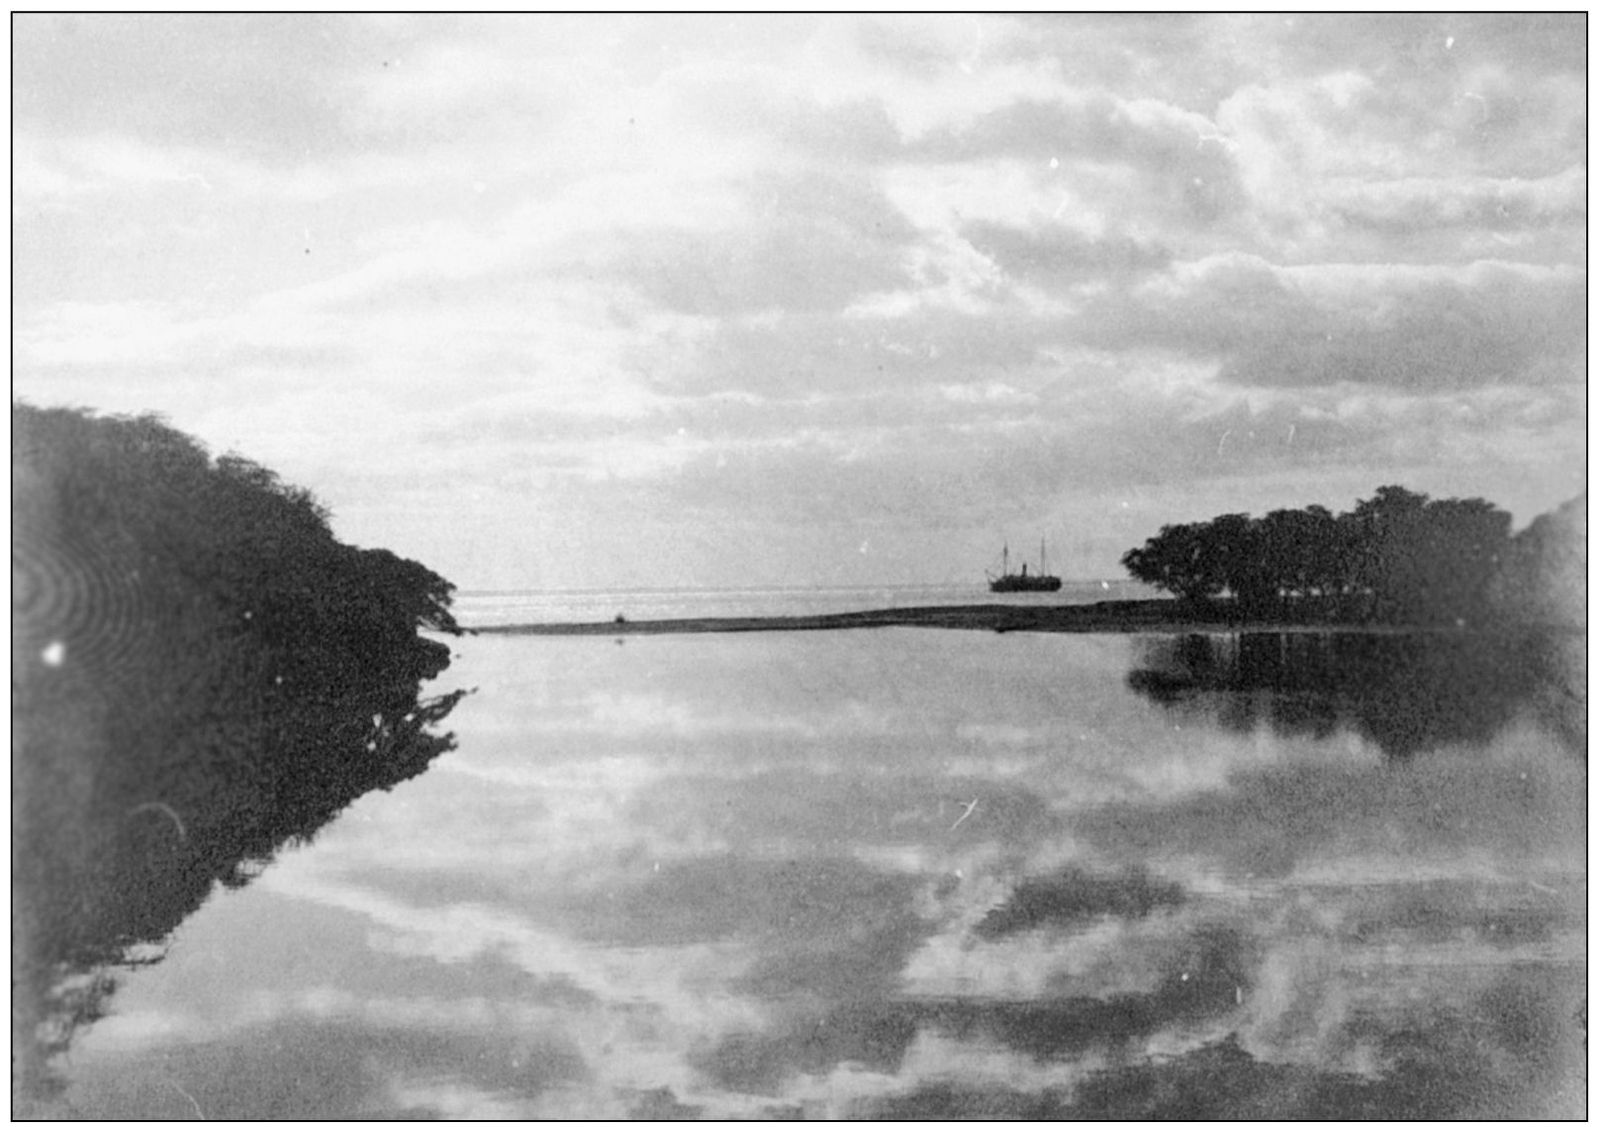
point(200, 674)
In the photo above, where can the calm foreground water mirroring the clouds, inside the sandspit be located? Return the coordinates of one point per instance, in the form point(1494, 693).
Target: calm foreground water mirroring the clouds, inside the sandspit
point(904, 873)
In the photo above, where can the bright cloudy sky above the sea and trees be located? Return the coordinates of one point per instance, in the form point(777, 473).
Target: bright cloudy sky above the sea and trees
point(587, 302)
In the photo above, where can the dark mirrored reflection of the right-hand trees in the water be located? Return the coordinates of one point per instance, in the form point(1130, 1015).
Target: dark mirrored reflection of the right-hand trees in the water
point(1406, 691)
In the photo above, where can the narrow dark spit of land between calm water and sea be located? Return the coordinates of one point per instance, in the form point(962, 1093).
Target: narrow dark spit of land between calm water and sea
point(1117, 617)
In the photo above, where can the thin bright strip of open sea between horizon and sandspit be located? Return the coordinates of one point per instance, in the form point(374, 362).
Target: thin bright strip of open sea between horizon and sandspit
point(643, 605)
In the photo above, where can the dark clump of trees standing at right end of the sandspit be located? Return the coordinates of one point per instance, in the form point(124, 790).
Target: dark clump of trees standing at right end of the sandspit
point(1397, 556)
